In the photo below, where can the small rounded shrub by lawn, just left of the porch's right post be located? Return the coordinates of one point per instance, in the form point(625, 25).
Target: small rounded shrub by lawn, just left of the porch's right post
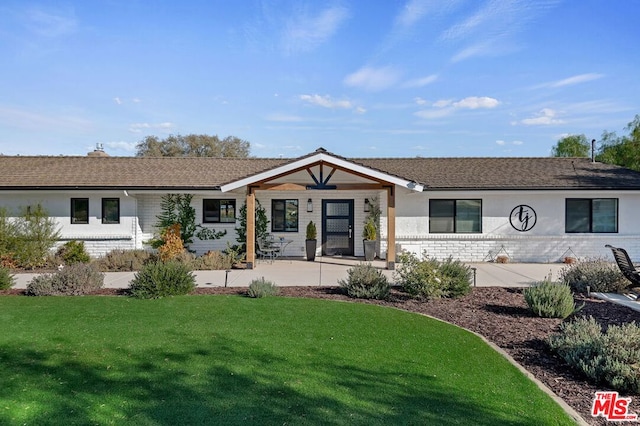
point(366, 282)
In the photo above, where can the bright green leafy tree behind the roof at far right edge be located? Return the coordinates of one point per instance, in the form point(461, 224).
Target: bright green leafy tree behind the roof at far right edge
point(624, 150)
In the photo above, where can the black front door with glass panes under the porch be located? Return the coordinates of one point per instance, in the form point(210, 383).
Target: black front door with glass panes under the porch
point(337, 227)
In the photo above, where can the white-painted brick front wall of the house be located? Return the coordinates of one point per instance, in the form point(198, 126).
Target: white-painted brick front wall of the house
point(546, 242)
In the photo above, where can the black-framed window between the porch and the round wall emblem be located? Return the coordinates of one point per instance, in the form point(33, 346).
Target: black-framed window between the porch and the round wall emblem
point(455, 216)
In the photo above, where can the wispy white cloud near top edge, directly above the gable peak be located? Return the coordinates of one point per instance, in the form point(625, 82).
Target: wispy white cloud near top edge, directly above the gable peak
point(304, 33)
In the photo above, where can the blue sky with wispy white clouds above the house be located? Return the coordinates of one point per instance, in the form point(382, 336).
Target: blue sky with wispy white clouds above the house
point(361, 78)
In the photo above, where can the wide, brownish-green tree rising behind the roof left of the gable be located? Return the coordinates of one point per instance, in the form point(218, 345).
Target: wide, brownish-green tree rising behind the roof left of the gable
point(193, 146)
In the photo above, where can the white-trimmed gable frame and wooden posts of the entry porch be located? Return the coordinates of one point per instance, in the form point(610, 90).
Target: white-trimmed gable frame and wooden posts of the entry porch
point(320, 176)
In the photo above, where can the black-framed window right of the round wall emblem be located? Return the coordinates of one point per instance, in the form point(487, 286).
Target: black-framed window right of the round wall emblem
point(591, 215)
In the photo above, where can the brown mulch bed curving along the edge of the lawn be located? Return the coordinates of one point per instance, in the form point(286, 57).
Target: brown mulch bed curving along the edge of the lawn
point(501, 316)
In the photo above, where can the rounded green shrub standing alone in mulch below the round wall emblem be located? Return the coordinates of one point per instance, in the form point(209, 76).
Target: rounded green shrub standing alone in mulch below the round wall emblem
point(550, 300)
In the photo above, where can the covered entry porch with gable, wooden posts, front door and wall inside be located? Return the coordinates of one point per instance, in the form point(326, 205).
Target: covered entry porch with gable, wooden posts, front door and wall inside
point(334, 193)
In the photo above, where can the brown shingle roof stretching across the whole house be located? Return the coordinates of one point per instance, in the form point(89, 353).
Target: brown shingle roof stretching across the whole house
point(209, 173)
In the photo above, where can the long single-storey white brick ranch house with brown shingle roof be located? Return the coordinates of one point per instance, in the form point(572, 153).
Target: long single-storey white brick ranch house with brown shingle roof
point(473, 209)
